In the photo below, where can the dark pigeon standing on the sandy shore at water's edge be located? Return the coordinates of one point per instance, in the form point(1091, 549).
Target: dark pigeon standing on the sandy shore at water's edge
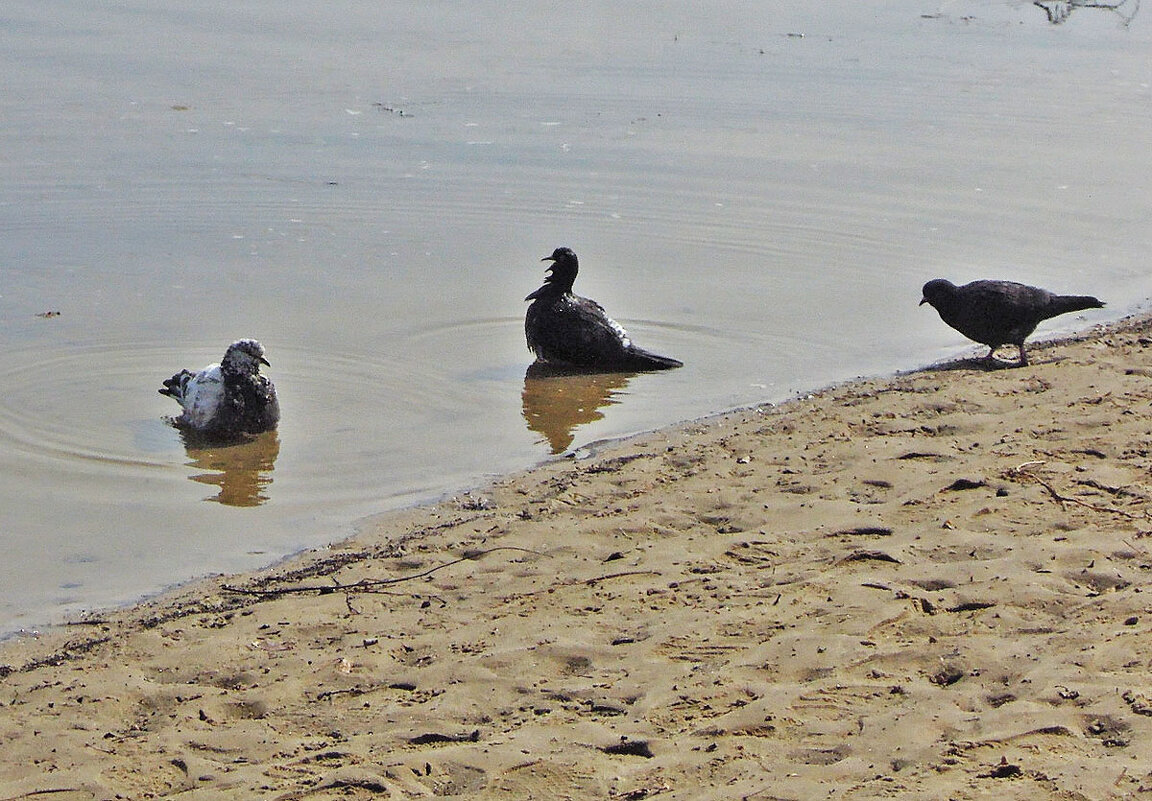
point(999, 313)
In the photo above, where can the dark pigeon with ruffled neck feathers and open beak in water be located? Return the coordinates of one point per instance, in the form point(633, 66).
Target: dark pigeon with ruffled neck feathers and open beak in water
point(571, 331)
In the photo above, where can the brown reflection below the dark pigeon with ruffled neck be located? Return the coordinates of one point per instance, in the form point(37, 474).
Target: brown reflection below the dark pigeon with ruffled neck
point(557, 402)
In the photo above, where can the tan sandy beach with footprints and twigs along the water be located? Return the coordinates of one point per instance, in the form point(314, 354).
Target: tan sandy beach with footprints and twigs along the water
point(930, 586)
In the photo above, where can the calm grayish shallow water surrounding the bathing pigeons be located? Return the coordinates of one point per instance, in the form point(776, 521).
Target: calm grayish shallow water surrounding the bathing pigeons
point(759, 192)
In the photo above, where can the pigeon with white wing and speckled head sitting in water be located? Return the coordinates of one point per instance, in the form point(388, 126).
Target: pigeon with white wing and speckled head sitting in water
point(230, 399)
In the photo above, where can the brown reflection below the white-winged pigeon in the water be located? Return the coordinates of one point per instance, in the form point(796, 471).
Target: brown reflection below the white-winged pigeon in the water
point(241, 470)
